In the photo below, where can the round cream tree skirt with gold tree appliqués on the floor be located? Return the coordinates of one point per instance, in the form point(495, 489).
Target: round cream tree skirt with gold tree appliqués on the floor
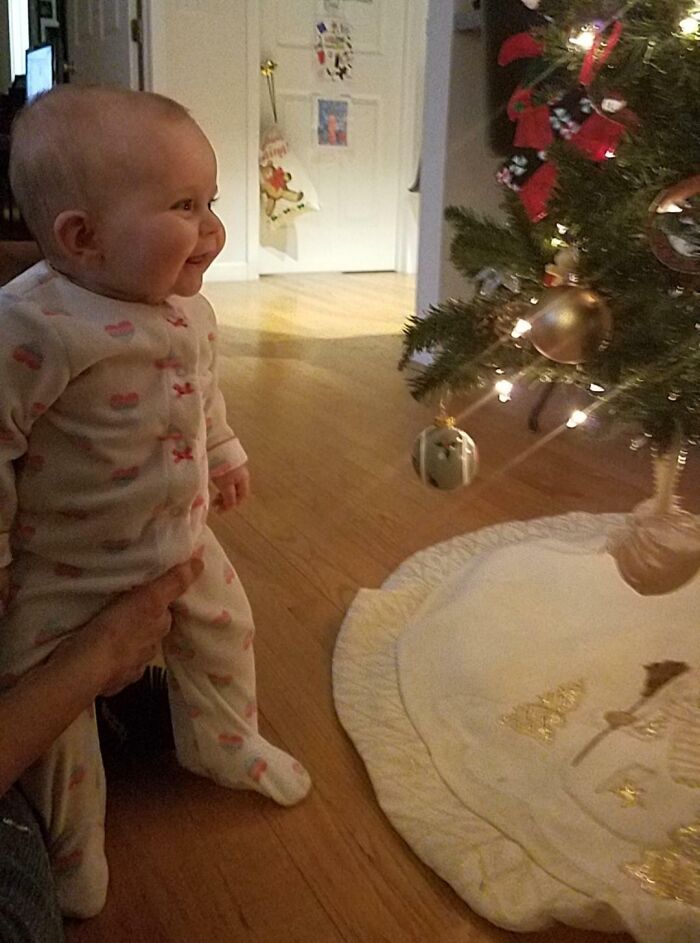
point(494, 687)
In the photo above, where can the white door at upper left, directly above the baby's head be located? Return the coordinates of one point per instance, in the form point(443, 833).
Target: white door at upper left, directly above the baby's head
point(100, 45)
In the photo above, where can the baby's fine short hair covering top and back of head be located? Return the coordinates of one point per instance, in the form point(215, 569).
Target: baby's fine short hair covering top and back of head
point(68, 143)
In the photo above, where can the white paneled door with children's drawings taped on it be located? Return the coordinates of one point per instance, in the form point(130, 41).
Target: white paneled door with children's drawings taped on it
point(362, 186)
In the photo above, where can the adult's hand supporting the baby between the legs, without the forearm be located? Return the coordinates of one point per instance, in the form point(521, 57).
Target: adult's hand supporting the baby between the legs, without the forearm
point(124, 636)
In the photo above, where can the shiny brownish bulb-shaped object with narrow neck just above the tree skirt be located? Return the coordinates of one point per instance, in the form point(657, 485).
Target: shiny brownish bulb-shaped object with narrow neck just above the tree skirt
point(658, 550)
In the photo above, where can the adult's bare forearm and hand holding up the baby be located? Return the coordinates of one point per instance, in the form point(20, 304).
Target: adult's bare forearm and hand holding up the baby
point(108, 653)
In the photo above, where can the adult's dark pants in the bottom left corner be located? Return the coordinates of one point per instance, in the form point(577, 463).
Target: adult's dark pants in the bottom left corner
point(28, 907)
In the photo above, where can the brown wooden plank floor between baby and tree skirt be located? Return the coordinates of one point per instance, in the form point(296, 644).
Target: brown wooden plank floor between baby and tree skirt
point(309, 373)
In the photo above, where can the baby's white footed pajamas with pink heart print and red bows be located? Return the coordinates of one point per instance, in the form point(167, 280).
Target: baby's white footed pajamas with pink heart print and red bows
point(111, 425)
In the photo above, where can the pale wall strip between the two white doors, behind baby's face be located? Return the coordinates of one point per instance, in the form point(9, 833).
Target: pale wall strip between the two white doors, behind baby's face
point(199, 57)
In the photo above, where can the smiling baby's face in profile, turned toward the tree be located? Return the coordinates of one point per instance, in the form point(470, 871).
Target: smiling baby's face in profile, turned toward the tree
point(157, 231)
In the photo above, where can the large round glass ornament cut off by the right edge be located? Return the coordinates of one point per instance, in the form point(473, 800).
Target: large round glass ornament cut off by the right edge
point(674, 227)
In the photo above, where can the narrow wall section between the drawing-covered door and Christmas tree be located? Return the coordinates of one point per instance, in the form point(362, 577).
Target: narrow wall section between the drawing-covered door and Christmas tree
point(458, 167)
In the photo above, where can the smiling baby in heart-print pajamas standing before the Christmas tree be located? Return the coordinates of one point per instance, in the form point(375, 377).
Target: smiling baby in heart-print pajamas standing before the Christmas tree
point(111, 428)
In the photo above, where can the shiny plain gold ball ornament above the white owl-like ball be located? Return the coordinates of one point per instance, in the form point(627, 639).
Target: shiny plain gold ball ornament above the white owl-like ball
point(570, 324)
